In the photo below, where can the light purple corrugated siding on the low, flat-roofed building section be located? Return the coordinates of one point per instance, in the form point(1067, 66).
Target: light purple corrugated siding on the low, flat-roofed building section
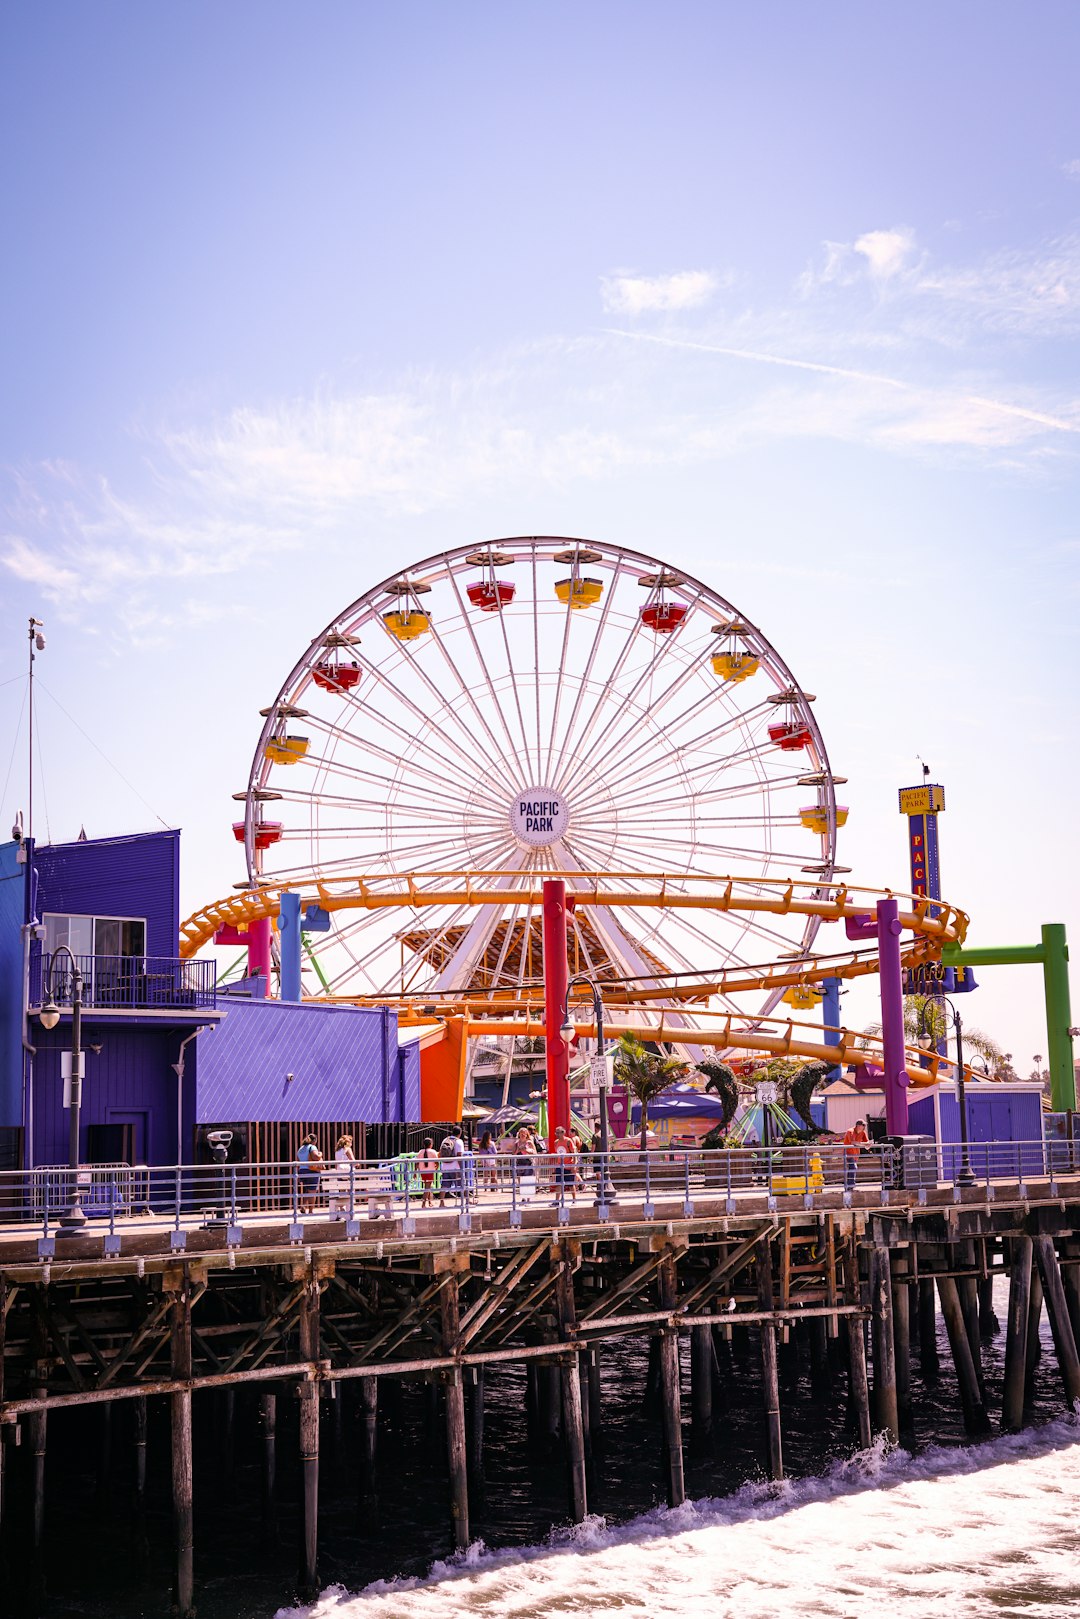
point(344, 1064)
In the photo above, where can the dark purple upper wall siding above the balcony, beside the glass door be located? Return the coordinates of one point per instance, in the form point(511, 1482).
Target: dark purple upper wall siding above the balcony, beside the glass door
point(117, 877)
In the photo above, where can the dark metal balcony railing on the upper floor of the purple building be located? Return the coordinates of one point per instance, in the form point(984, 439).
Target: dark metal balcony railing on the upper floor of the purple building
point(127, 984)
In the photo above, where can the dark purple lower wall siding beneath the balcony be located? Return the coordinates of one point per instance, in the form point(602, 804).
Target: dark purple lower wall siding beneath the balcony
point(132, 1074)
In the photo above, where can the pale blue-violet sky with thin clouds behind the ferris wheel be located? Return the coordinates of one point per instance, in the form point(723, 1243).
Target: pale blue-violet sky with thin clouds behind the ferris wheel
point(784, 295)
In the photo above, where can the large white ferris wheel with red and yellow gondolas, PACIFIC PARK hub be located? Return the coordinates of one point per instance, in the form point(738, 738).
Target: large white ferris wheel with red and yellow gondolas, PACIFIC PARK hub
point(540, 705)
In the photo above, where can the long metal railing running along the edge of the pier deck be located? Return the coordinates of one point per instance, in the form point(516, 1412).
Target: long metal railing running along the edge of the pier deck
point(242, 1200)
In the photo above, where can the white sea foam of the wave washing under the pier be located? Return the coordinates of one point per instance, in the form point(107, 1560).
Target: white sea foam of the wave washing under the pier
point(963, 1532)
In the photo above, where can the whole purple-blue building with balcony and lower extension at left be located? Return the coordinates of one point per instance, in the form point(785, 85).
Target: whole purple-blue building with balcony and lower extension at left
point(166, 1055)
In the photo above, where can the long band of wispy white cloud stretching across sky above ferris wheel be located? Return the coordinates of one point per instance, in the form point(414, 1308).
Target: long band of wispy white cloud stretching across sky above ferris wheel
point(878, 351)
